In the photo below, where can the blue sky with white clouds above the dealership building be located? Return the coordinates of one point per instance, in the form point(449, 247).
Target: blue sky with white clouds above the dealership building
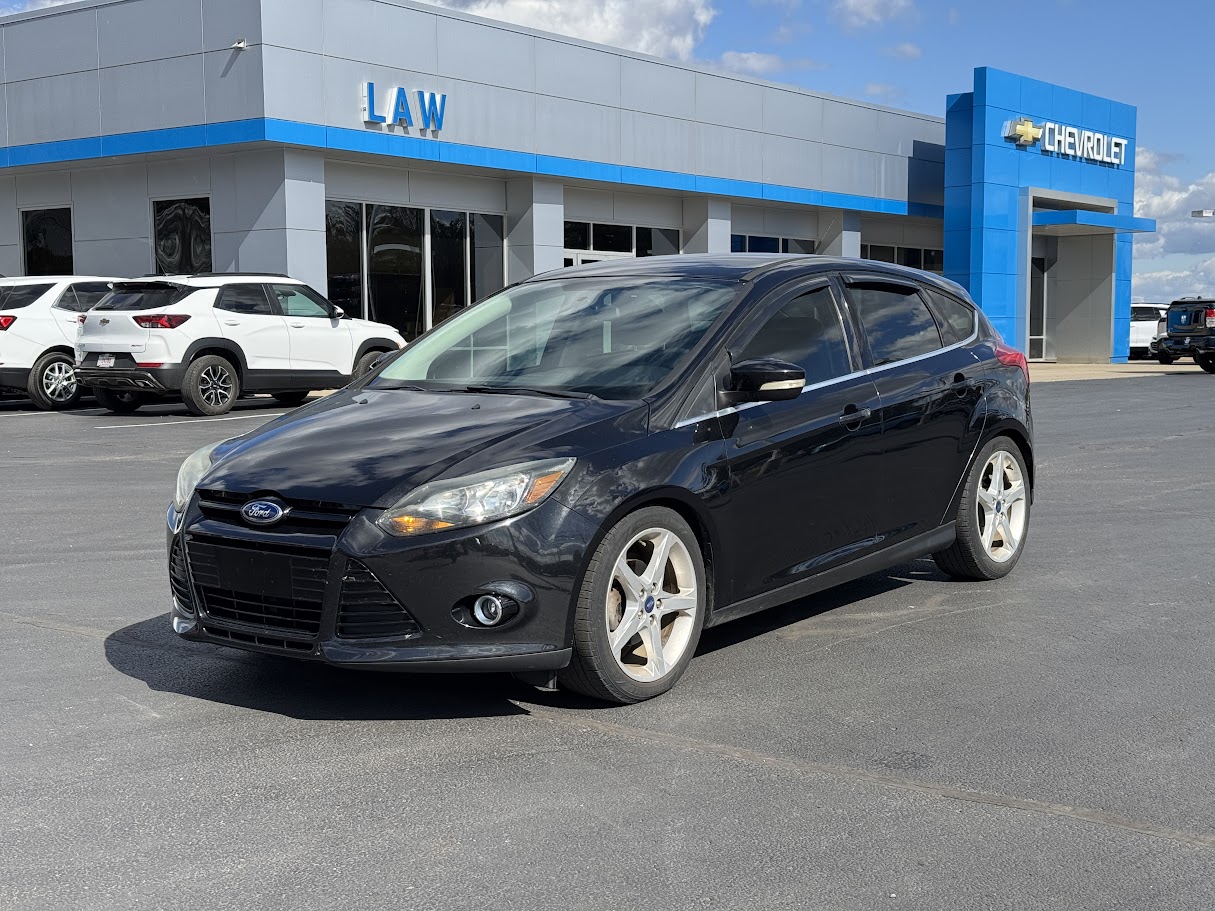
point(911, 54)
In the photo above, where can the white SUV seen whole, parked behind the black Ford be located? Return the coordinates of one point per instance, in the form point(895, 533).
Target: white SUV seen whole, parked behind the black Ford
point(216, 337)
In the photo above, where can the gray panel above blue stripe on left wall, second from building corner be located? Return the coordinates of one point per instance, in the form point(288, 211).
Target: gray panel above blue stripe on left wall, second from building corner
point(152, 97)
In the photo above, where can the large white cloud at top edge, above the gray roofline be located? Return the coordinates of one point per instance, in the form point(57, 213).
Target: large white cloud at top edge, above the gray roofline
point(665, 29)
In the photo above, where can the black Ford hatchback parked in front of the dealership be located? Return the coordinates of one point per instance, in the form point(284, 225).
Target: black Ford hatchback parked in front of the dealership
point(574, 478)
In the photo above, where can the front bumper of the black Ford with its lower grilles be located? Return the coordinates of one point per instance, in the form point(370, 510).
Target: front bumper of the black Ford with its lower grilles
point(304, 596)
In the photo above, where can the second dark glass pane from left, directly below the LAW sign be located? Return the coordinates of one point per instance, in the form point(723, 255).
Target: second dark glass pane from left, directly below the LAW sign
point(394, 268)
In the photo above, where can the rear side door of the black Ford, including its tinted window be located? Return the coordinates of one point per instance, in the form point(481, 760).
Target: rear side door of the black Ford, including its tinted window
point(930, 386)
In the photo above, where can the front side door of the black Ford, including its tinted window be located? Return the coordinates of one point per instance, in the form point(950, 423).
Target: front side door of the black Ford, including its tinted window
point(803, 472)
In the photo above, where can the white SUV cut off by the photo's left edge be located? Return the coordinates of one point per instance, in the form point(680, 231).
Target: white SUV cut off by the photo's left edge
point(38, 329)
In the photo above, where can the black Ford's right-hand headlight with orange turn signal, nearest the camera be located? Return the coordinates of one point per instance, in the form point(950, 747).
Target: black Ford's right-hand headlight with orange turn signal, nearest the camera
point(476, 500)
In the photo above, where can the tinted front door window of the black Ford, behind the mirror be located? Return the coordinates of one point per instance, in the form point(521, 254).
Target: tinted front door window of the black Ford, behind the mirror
point(809, 332)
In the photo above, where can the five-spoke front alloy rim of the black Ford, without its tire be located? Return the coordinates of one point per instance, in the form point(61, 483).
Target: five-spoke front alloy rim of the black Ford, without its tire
point(652, 606)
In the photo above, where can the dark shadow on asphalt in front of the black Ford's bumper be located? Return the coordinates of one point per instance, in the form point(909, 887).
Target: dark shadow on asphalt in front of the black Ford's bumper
point(152, 653)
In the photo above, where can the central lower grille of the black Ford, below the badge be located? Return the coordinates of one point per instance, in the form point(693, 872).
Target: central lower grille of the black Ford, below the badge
point(248, 587)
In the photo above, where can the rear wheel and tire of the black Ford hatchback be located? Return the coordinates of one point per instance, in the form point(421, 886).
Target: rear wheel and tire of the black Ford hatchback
point(997, 496)
